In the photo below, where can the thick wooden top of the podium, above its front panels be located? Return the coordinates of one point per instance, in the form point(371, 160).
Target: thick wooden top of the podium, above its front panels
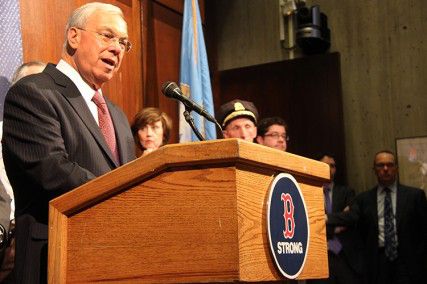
point(193, 154)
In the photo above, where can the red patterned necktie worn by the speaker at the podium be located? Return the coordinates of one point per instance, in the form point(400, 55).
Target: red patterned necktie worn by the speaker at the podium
point(106, 124)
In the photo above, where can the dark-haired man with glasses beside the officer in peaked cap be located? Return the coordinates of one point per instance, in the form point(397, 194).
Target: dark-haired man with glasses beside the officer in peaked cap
point(272, 132)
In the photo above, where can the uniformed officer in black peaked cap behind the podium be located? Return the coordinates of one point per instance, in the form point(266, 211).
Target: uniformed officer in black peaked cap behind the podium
point(238, 119)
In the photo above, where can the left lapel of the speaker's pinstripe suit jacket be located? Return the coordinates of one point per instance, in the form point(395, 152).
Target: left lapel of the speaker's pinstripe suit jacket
point(73, 96)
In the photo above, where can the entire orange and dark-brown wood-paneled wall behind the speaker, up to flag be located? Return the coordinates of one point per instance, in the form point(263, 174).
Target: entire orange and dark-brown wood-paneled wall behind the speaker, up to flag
point(154, 28)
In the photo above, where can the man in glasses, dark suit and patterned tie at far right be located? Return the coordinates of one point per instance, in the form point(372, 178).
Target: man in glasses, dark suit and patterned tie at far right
point(392, 219)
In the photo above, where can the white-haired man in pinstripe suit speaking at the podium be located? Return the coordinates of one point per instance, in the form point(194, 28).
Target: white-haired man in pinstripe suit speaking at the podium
point(58, 131)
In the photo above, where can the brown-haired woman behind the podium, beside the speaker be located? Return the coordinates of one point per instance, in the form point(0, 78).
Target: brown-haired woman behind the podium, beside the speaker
point(151, 129)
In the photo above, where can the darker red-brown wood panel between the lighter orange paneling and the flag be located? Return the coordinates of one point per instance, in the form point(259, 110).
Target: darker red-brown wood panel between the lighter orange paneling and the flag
point(162, 25)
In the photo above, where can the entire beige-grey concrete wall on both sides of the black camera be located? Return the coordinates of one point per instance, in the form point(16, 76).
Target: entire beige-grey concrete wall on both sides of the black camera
point(383, 63)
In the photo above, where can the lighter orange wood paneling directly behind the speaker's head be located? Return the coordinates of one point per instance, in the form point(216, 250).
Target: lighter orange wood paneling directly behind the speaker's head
point(43, 30)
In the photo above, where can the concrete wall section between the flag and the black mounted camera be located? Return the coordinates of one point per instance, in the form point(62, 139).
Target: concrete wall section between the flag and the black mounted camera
point(247, 32)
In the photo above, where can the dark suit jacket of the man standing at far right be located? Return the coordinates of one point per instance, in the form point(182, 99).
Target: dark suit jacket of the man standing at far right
point(411, 221)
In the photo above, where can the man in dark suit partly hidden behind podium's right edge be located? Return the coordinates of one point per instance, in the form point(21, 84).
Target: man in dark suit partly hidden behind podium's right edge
point(344, 257)
